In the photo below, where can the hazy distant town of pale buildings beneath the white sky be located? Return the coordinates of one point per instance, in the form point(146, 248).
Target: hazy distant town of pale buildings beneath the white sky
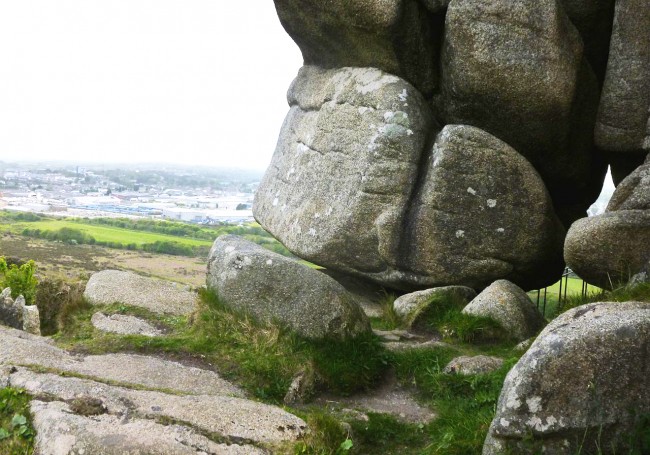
point(195, 195)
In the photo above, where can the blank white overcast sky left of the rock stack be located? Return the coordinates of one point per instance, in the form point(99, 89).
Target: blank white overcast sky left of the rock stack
point(186, 81)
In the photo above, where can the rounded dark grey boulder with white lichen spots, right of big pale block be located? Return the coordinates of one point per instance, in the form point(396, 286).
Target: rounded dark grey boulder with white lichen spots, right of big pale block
point(482, 213)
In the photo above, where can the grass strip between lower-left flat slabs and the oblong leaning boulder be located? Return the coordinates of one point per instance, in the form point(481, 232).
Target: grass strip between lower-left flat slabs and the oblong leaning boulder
point(263, 358)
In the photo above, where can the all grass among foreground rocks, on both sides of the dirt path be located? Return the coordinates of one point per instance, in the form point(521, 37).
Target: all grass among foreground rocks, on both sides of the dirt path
point(263, 359)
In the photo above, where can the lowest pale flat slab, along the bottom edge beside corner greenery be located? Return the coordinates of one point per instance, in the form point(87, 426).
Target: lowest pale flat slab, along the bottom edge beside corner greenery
point(61, 432)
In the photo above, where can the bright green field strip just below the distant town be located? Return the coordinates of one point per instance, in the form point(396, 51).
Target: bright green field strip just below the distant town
point(103, 233)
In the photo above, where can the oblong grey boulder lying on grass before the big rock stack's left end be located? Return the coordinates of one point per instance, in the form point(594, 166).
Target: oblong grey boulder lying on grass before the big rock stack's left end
point(271, 287)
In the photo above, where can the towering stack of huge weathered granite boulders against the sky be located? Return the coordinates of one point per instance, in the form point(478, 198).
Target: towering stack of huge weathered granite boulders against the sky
point(434, 143)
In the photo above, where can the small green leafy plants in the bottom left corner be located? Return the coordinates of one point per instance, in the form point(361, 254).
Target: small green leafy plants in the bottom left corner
point(16, 430)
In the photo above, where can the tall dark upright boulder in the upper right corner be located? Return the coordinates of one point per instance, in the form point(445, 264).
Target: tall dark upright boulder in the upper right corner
point(625, 102)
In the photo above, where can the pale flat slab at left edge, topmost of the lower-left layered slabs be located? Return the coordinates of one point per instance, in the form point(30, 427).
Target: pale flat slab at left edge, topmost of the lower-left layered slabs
point(16, 348)
